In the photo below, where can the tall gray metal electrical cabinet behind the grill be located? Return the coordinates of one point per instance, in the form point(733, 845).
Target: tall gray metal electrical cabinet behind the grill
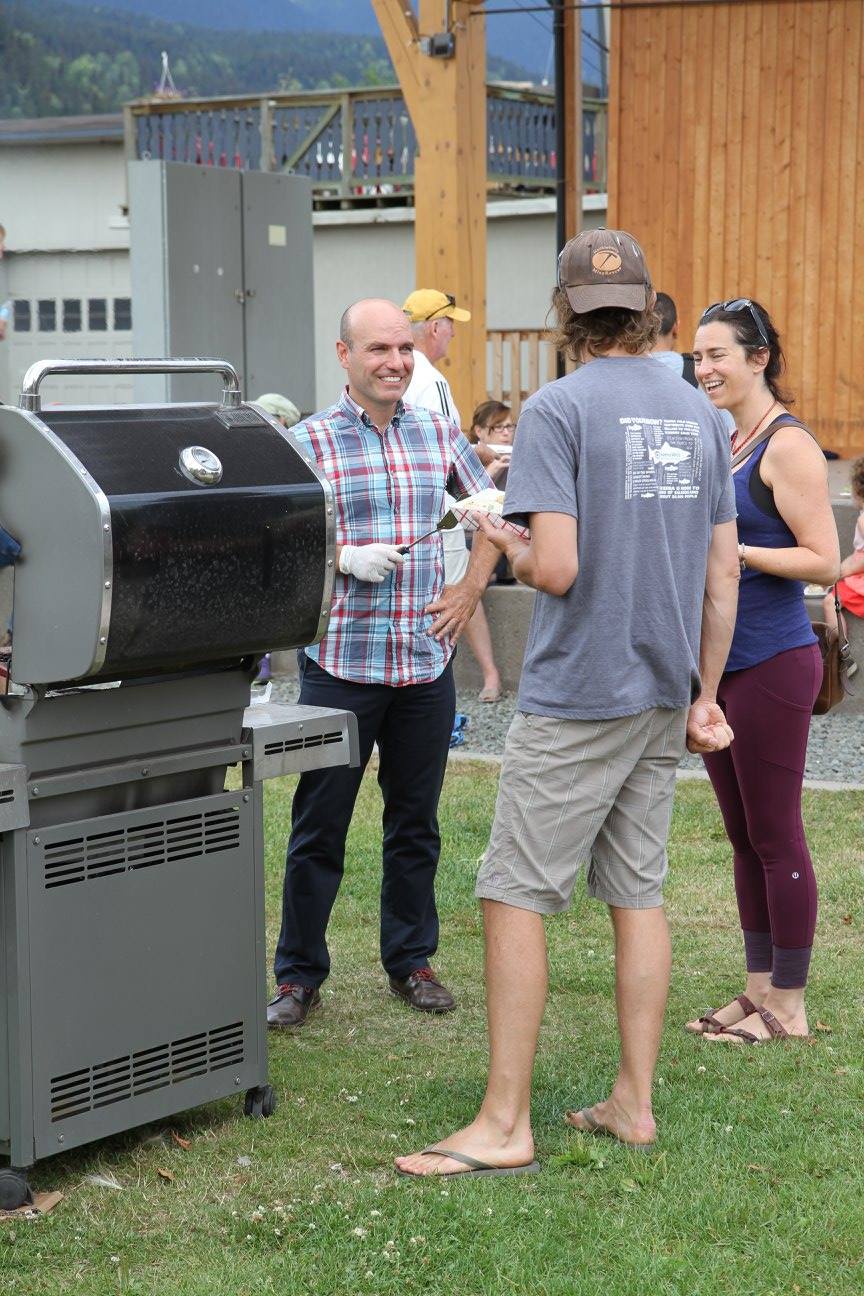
point(222, 265)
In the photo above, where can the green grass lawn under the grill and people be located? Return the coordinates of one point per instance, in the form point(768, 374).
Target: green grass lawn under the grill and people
point(757, 1185)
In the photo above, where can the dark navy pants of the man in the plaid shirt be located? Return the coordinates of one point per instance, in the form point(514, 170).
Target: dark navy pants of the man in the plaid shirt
point(413, 728)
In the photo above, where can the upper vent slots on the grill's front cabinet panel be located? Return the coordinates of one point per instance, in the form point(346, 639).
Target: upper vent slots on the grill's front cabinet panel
point(99, 855)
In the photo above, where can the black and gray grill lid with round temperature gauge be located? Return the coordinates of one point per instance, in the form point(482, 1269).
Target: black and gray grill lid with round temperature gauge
point(160, 538)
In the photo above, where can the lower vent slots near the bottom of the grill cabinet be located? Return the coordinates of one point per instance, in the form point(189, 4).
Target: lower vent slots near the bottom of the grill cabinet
point(138, 1074)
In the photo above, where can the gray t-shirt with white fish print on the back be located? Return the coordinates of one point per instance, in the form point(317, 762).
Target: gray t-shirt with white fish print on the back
point(642, 461)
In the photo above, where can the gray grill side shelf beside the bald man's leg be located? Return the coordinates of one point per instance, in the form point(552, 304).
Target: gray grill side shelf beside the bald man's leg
point(295, 739)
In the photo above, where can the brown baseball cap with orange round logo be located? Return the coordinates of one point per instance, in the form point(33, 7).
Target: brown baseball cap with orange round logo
point(604, 268)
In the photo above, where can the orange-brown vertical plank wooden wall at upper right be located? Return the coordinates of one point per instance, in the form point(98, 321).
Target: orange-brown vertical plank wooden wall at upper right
point(738, 160)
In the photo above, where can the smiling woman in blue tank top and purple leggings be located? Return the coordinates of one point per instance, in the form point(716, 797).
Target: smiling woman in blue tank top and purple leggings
point(774, 672)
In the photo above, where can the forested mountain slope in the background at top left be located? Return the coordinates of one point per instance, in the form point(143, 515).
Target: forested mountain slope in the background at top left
point(68, 59)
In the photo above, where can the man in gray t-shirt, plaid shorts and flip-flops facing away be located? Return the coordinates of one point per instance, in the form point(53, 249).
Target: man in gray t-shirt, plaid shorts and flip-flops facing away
point(622, 472)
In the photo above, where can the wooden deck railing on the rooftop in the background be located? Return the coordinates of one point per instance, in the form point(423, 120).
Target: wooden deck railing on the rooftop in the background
point(358, 145)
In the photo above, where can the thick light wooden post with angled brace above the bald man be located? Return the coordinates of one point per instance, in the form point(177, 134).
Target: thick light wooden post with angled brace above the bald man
point(446, 99)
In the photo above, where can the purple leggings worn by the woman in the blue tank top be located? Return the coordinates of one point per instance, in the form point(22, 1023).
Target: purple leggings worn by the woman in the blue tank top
point(758, 785)
